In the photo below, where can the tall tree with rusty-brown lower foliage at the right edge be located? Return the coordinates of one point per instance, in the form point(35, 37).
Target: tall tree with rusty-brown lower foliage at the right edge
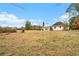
point(73, 11)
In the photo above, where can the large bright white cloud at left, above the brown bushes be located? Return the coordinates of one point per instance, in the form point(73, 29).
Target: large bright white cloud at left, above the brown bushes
point(10, 20)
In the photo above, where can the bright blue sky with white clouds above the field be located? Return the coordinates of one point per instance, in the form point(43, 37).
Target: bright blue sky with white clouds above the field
point(17, 14)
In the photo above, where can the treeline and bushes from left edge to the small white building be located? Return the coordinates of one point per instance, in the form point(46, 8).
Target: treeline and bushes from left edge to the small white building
point(28, 26)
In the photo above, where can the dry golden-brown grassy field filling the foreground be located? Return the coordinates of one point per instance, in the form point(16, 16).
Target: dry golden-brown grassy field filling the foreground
point(36, 43)
